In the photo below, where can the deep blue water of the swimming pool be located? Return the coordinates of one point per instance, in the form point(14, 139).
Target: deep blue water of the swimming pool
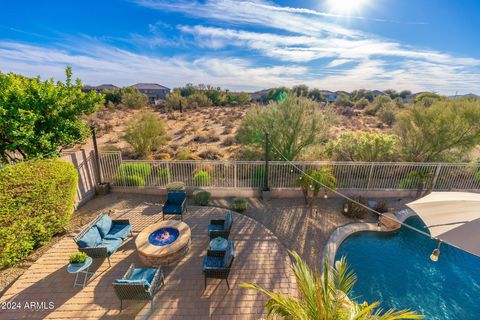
point(395, 269)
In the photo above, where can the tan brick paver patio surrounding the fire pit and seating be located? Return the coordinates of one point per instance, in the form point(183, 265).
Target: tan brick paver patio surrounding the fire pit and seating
point(259, 258)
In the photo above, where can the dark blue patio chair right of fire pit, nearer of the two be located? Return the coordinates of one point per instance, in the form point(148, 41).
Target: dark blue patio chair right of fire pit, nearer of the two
point(218, 267)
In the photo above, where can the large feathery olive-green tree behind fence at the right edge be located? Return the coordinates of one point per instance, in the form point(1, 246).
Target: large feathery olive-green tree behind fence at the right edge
point(446, 131)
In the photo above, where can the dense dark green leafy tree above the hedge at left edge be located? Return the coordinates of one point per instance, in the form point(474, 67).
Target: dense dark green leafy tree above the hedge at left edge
point(38, 118)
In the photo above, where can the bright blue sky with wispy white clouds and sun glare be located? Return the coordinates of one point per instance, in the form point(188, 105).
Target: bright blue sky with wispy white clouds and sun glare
point(248, 45)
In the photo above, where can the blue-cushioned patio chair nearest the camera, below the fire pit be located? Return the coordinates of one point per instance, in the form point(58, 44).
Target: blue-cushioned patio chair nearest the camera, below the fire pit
point(139, 284)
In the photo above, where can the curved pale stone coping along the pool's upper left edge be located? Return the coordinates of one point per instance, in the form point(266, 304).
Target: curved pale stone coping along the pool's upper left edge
point(341, 233)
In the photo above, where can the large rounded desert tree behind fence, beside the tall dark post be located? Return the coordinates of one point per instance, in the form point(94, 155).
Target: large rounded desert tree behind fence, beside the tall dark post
point(293, 125)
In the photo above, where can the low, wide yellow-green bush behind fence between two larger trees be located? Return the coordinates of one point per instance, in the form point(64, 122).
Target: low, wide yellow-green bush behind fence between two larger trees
point(363, 146)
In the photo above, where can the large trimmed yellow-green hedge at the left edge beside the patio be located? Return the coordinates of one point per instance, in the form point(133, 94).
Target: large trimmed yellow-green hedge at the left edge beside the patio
point(36, 202)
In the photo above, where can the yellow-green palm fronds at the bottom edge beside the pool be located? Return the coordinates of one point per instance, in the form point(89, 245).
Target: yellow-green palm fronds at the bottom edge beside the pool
point(325, 297)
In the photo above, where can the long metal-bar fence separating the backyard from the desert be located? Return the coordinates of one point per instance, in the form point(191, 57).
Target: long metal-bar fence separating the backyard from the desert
point(250, 174)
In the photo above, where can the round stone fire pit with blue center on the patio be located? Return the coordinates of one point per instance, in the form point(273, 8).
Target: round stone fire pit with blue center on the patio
point(163, 243)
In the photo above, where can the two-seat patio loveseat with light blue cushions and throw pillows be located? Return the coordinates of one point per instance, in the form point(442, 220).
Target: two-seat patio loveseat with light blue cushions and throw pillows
point(103, 236)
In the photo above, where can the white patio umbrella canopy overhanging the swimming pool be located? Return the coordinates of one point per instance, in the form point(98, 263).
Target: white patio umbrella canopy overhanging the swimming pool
point(452, 217)
